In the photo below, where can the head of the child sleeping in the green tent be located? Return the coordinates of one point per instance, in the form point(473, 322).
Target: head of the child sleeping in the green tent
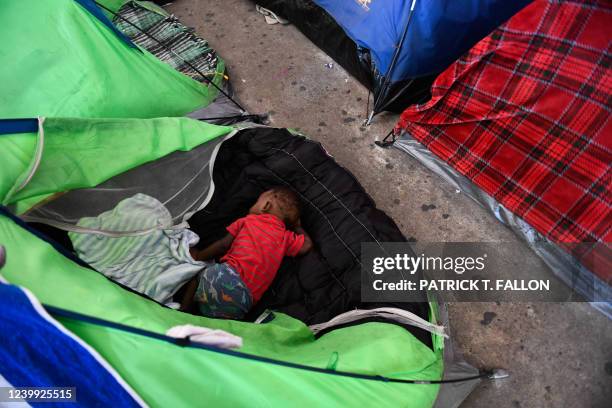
point(281, 202)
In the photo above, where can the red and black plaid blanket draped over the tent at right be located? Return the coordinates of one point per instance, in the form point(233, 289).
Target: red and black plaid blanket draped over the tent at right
point(525, 114)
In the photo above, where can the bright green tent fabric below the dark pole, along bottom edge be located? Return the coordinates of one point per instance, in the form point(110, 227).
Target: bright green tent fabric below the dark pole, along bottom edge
point(181, 377)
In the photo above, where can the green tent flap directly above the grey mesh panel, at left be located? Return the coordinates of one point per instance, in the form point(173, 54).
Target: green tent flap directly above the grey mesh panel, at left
point(79, 153)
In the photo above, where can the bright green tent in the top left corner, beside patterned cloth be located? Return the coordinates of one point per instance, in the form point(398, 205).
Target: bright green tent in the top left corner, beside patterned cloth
point(59, 60)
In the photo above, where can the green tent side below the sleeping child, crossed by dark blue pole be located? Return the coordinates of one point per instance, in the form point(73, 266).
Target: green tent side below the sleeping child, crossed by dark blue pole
point(164, 373)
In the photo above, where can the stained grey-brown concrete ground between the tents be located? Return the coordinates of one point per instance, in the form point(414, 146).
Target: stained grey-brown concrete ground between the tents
point(559, 355)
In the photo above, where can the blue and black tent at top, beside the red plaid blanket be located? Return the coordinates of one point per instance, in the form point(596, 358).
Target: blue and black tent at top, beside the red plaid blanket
point(396, 47)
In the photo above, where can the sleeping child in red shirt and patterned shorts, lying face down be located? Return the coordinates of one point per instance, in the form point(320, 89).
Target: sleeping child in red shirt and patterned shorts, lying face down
point(250, 255)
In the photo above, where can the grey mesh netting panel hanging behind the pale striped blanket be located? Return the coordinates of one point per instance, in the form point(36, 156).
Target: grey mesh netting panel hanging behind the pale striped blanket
point(181, 181)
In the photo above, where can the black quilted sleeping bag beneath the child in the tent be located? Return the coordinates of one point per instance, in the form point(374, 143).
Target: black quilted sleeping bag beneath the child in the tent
point(336, 212)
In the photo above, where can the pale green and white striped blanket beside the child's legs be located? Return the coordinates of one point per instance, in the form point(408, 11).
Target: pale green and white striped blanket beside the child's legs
point(138, 247)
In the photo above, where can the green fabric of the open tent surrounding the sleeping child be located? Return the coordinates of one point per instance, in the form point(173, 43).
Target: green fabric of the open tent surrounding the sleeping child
point(280, 359)
